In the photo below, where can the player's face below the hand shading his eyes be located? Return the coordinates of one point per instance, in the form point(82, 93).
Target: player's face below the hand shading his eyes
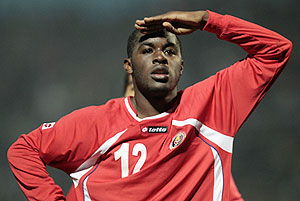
point(156, 64)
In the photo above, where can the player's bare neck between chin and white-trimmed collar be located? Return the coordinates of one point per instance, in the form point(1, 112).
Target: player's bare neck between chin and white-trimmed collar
point(147, 107)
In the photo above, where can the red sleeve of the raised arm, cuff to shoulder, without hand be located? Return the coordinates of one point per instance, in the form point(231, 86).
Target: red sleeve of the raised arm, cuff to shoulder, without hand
point(239, 88)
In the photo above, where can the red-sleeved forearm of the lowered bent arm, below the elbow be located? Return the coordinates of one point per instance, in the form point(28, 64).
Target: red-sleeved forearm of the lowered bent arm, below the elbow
point(31, 173)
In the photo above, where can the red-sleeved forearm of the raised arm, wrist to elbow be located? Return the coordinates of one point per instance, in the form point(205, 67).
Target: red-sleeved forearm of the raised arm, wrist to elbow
point(262, 44)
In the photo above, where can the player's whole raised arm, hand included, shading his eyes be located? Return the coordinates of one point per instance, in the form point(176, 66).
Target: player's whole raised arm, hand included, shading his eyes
point(240, 87)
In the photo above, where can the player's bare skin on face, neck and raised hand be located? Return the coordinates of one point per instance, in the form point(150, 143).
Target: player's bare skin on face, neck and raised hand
point(156, 63)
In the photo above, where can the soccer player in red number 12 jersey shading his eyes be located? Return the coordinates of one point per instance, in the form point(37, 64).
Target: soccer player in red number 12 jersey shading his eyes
point(161, 144)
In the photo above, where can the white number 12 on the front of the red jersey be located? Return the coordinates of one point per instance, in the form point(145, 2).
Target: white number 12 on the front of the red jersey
point(123, 153)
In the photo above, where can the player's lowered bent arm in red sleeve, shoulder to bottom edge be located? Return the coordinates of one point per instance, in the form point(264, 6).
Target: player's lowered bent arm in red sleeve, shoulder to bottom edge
point(63, 145)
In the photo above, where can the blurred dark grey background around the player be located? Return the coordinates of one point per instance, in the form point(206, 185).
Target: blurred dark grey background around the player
point(57, 56)
